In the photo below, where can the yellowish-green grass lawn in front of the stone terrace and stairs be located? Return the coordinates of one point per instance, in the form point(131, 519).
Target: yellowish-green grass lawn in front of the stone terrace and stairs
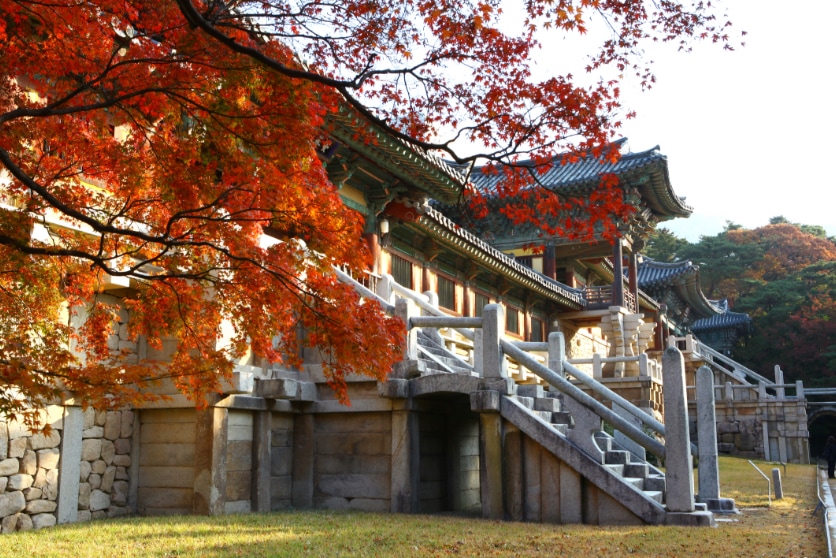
point(787, 528)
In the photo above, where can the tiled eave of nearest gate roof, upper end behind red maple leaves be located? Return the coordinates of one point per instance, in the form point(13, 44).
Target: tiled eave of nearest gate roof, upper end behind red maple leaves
point(413, 166)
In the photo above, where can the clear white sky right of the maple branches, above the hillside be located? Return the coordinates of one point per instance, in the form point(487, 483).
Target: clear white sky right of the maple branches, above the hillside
point(748, 134)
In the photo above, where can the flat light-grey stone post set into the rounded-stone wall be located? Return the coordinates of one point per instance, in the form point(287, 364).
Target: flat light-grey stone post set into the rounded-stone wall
point(69, 465)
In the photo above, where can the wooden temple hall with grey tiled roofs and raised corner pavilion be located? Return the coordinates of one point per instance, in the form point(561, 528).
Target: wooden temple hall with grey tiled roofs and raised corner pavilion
point(603, 296)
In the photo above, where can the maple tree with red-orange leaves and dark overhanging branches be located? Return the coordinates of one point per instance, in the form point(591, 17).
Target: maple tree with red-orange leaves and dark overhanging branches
point(155, 142)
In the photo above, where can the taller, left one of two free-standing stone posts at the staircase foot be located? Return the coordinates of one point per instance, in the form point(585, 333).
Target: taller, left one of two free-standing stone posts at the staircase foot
point(678, 463)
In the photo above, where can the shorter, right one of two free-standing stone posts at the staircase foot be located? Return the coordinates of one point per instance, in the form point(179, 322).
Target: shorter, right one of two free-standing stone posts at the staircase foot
point(709, 472)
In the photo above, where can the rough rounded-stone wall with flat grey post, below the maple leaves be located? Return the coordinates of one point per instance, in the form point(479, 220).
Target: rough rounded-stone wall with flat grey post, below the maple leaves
point(86, 454)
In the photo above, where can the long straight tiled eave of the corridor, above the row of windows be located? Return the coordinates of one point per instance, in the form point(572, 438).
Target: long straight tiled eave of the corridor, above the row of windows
point(444, 230)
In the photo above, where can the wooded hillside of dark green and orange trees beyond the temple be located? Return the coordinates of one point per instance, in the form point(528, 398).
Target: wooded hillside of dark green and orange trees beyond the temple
point(785, 279)
